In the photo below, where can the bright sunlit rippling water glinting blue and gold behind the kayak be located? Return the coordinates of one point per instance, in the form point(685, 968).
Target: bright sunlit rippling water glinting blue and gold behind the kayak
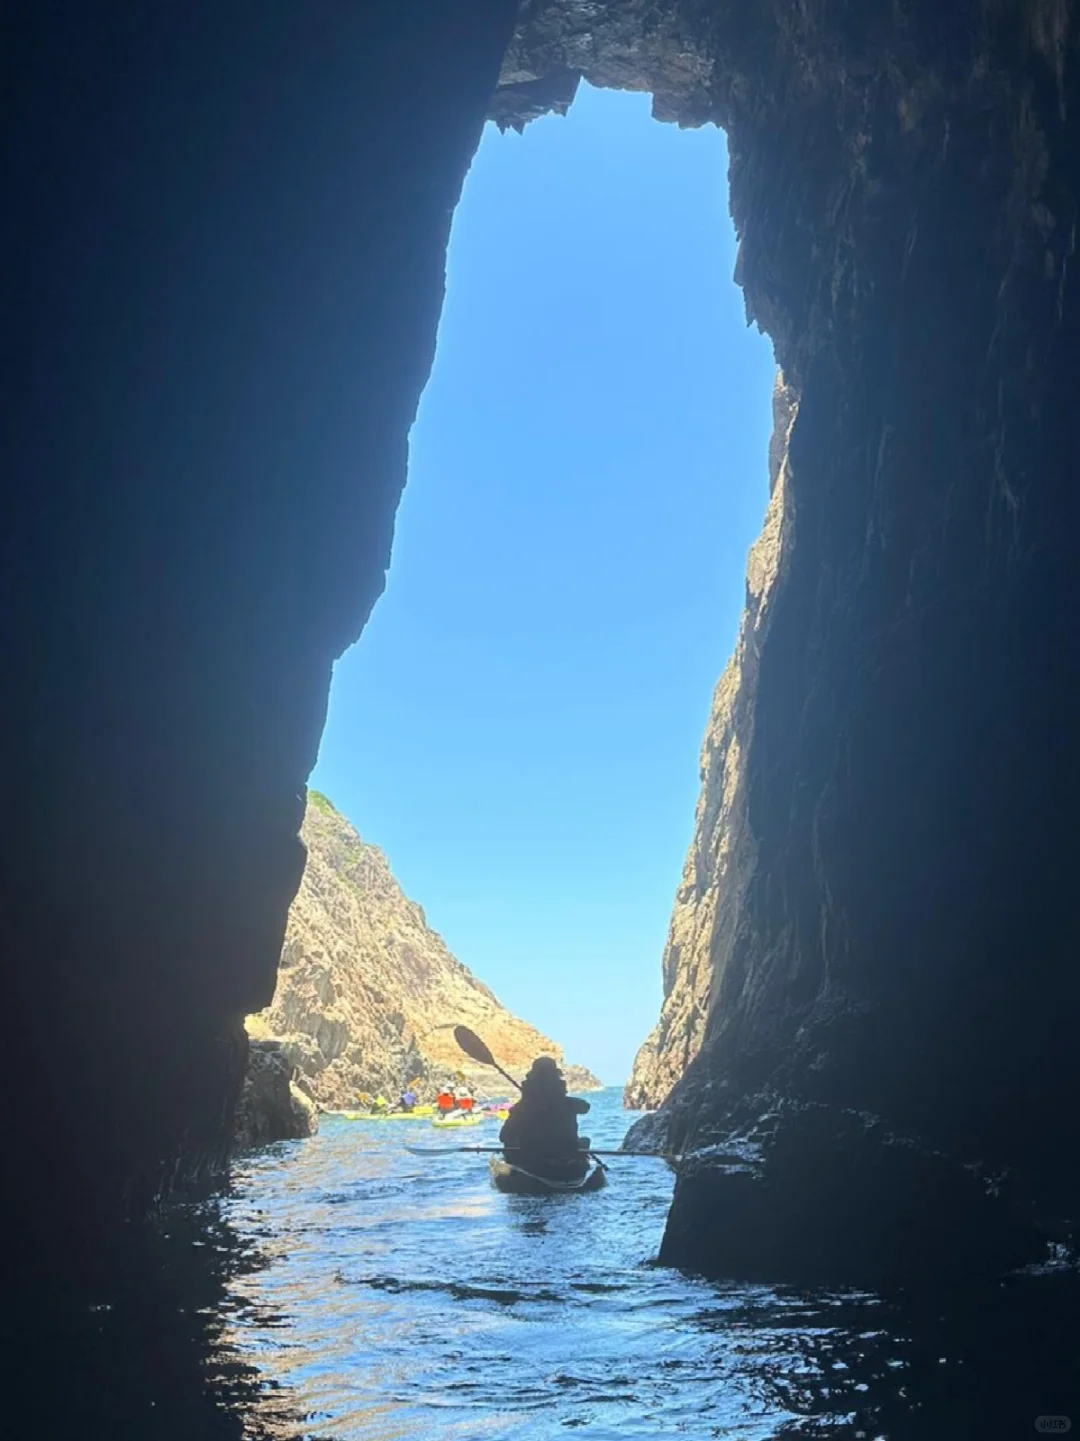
point(423, 1303)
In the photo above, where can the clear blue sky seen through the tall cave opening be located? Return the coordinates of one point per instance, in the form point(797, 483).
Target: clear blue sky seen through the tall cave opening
point(520, 726)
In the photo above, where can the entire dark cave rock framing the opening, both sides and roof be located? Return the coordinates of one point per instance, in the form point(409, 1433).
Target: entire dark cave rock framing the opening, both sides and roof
point(226, 236)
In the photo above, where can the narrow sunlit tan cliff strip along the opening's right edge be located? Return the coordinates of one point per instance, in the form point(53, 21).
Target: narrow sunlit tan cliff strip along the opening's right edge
point(722, 857)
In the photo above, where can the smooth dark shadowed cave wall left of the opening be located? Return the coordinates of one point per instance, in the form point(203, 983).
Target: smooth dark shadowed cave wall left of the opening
point(224, 236)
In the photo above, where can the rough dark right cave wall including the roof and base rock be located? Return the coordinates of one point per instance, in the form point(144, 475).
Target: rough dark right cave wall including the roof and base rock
point(898, 995)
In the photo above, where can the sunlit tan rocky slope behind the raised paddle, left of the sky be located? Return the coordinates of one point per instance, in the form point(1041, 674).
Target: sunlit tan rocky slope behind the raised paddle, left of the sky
point(368, 994)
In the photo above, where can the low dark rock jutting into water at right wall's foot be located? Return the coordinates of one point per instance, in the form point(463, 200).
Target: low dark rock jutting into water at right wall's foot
point(827, 1197)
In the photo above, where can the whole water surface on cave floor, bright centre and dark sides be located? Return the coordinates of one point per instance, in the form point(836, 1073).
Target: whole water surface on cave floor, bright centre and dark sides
point(348, 1289)
